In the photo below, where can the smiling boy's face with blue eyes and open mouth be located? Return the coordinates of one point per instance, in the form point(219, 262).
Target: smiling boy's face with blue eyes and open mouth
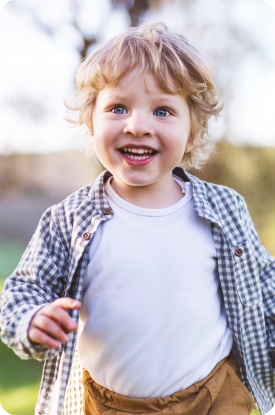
point(140, 133)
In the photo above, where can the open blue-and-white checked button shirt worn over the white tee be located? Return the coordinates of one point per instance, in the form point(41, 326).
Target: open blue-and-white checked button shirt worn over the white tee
point(55, 263)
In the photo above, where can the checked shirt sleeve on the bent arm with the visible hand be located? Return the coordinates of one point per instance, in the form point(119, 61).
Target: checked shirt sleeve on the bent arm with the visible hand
point(38, 279)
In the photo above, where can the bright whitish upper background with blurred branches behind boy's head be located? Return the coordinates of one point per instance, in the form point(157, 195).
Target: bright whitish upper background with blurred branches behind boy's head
point(41, 45)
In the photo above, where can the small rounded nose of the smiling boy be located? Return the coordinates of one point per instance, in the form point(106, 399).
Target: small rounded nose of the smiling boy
point(138, 124)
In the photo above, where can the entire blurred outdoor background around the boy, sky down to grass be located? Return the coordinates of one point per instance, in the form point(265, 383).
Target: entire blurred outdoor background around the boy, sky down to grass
point(41, 157)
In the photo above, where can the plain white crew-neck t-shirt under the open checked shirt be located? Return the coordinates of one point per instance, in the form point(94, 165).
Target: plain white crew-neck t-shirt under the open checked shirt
point(152, 313)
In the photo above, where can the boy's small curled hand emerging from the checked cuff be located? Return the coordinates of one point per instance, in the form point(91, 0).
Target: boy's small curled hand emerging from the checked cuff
point(51, 324)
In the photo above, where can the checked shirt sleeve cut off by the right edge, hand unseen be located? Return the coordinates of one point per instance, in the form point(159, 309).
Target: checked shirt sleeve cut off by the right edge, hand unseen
point(266, 267)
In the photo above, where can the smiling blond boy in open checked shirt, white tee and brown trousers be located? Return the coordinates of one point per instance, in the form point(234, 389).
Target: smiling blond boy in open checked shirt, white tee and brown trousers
point(165, 274)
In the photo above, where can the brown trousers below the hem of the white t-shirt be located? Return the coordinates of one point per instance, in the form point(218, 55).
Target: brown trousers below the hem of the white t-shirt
point(220, 393)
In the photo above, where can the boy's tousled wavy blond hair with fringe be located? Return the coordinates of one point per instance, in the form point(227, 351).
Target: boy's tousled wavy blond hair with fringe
point(176, 66)
